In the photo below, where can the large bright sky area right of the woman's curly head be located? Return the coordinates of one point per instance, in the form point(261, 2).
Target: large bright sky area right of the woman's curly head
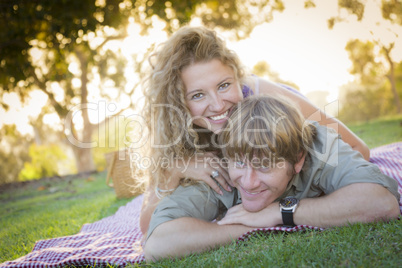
point(298, 45)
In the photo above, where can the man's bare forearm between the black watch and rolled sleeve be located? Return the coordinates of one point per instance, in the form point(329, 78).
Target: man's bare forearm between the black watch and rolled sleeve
point(360, 202)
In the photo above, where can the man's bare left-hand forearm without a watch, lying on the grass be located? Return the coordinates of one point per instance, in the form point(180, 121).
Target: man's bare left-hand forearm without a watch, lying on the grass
point(184, 236)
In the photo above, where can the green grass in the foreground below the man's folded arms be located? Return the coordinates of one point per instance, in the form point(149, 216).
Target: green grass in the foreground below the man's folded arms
point(359, 245)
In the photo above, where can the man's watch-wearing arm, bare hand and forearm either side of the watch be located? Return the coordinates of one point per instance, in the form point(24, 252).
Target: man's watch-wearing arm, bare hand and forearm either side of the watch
point(358, 202)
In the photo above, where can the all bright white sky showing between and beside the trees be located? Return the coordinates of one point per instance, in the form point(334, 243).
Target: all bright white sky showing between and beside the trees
point(297, 44)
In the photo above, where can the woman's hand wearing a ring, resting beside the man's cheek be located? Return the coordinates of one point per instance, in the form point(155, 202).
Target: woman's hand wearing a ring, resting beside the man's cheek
point(200, 167)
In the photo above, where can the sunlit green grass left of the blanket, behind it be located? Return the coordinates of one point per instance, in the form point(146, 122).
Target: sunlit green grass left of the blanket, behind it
point(51, 209)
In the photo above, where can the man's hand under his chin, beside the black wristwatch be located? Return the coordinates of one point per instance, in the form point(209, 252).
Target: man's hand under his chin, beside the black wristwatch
point(267, 217)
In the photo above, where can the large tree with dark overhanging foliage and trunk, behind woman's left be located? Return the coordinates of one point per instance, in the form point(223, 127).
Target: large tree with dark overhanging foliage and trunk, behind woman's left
point(44, 39)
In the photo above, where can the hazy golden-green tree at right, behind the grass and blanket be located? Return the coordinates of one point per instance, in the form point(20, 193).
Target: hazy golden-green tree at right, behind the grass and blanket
point(369, 97)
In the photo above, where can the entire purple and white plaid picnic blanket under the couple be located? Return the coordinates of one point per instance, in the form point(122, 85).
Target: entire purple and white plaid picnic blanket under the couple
point(116, 240)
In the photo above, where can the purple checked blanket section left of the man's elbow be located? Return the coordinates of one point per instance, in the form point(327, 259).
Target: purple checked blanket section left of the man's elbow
point(115, 240)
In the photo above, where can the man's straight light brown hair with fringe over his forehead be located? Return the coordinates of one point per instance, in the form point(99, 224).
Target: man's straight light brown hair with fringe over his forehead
point(269, 128)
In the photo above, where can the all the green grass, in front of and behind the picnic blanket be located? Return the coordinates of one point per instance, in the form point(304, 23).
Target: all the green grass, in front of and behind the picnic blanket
point(59, 208)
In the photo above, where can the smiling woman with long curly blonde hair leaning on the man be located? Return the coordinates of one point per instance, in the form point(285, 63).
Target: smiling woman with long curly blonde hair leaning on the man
point(194, 83)
